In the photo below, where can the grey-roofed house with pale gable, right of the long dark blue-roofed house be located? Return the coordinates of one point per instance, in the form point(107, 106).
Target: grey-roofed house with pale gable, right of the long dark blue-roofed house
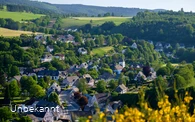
point(69, 81)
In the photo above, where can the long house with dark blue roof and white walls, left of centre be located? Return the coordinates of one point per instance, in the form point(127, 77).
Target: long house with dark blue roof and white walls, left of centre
point(54, 74)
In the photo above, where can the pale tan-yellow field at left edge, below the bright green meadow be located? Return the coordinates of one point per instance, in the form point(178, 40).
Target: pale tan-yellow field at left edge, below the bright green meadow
point(11, 33)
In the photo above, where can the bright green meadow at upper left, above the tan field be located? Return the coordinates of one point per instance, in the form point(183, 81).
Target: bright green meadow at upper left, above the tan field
point(19, 16)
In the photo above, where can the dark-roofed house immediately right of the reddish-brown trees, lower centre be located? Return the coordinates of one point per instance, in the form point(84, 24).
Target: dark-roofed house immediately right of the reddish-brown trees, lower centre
point(101, 100)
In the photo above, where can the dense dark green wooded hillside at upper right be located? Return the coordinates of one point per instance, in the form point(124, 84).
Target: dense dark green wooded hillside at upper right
point(169, 26)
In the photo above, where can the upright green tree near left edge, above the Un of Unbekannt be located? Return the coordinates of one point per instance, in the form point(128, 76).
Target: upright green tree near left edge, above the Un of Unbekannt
point(14, 88)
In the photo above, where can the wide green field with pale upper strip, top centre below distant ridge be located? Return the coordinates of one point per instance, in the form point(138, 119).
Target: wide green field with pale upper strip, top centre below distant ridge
point(79, 21)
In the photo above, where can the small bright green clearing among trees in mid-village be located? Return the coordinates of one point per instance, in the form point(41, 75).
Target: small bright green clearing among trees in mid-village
point(101, 51)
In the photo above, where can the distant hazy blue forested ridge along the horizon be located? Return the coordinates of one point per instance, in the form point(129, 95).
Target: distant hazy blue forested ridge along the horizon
point(77, 9)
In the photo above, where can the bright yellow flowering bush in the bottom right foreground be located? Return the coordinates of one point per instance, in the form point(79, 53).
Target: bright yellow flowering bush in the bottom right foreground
point(166, 112)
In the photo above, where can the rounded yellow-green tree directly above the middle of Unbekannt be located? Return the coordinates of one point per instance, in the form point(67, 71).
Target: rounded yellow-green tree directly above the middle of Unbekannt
point(37, 91)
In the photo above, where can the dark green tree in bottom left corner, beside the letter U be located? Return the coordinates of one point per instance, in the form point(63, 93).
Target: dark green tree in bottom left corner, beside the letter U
point(5, 114)
